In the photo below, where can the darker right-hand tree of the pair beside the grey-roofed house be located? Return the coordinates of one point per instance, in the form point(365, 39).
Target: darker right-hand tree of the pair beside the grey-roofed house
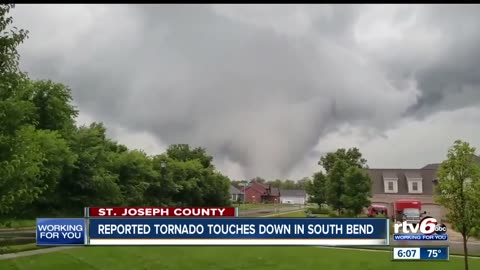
point(357, 190)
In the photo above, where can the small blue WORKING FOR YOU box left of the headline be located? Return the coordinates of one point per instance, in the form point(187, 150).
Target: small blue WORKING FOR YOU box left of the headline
point(61, 231)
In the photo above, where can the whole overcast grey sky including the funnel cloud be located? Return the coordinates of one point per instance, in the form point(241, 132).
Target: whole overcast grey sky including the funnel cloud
point(268, 89)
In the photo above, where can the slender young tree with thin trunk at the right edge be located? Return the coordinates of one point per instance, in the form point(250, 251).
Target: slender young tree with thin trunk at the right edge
point(458, 190)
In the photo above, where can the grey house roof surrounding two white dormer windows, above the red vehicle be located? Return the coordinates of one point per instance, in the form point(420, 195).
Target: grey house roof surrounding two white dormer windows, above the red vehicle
point(378, 175)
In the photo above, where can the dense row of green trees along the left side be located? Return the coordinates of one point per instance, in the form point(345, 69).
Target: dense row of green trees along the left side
point(49, 165)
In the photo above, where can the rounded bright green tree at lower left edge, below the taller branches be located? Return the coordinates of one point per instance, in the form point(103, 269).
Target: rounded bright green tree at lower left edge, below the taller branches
point(31, 168)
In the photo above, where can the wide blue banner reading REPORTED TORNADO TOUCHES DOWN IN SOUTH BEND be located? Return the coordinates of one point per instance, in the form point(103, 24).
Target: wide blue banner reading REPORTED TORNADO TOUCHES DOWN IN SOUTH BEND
point(238, 231)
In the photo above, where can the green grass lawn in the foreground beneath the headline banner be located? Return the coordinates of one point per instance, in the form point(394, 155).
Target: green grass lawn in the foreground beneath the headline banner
point(221, 258)
